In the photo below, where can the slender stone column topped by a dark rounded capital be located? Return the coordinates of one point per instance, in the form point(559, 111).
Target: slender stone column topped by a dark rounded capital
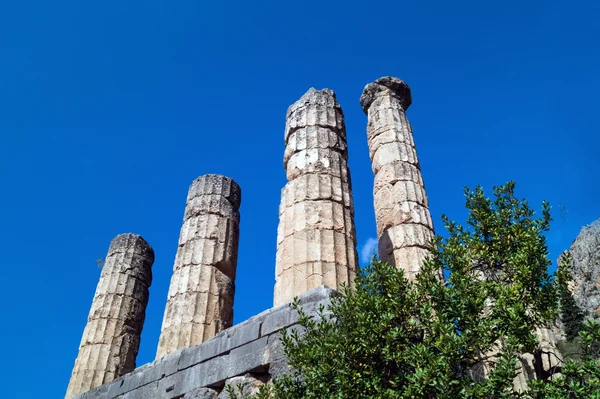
point(404, 225)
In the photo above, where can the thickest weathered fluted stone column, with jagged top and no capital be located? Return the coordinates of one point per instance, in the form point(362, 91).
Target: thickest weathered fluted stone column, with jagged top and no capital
point(316, 240)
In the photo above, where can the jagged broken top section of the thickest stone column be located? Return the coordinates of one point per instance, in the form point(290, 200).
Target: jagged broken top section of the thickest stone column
point(315, 108)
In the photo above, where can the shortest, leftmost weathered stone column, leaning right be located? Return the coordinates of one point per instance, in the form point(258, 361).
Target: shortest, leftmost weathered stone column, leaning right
point(111, 338)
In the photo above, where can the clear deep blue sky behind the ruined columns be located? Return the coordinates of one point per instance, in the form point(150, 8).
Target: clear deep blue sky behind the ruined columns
point(109, 110)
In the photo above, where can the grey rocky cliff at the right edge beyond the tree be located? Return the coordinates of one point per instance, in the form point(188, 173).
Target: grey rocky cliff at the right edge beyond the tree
point(585, 252)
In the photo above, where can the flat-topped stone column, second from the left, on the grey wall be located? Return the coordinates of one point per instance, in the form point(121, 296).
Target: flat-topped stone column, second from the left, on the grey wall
point(200, 299)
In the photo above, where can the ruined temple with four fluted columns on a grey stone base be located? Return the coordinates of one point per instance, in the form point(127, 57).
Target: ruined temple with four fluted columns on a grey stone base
point(199, 352)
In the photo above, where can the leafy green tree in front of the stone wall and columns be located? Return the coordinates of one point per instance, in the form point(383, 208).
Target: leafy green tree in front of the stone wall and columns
point(388, 337)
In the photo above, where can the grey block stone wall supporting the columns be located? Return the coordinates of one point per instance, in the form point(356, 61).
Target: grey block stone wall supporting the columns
point(248, 354)
